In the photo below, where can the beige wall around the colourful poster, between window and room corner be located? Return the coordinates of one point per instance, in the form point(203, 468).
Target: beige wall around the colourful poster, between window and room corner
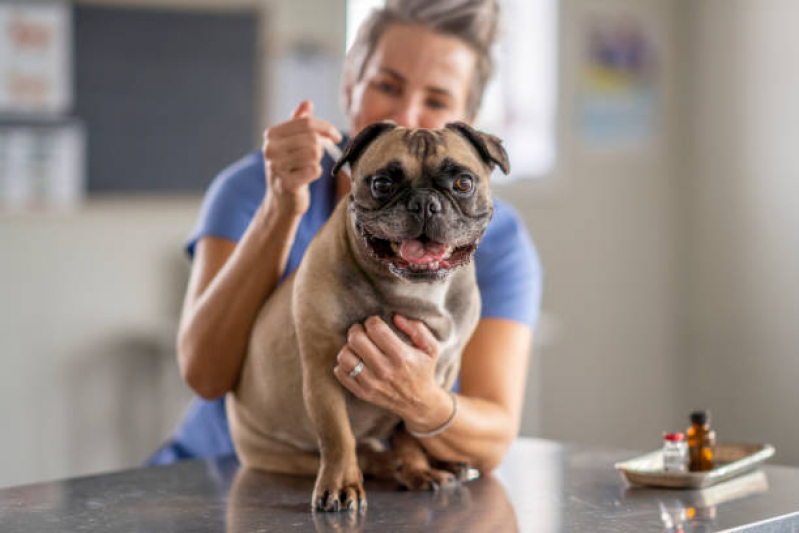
point(606, 226)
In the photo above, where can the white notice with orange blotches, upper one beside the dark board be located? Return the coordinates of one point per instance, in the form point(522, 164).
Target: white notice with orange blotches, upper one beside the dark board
point(35, 58)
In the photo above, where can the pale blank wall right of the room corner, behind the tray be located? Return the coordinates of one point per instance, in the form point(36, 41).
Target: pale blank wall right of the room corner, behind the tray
point(744, 247)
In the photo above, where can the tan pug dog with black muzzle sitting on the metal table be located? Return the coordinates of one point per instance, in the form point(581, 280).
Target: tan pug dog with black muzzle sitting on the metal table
point(401, 242)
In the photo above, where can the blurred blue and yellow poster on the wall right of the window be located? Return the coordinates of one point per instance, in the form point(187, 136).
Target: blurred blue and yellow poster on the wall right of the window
point(618, 82)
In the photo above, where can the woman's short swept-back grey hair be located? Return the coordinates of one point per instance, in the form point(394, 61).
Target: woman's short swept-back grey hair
point(472, 21)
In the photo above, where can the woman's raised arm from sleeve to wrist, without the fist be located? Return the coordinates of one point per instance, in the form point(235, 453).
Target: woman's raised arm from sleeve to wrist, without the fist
point(228, 285)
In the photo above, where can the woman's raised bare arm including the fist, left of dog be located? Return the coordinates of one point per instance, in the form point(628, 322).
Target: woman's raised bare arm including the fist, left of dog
point(230, 281)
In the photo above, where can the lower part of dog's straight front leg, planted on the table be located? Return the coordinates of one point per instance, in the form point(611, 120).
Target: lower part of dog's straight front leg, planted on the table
point(339, 483)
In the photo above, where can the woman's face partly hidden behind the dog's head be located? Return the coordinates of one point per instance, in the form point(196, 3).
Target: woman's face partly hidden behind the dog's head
point(417, 78)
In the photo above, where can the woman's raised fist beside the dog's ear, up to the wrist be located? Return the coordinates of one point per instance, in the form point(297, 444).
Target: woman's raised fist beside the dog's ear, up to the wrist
point(292, 155)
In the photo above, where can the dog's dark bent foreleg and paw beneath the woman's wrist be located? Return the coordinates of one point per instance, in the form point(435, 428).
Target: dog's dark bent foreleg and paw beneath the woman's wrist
point(413, 469)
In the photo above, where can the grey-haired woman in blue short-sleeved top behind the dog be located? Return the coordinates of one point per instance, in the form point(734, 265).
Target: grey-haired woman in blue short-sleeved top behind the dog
point(420, 64)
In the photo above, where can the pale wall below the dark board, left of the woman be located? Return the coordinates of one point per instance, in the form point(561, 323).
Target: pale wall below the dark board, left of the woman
point(90, 299)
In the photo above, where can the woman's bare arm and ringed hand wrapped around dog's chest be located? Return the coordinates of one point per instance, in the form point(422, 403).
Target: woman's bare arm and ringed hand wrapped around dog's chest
point(400, 378)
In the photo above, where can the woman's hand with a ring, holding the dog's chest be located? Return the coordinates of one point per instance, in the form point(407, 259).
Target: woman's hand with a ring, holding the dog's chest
point(396, 376)
